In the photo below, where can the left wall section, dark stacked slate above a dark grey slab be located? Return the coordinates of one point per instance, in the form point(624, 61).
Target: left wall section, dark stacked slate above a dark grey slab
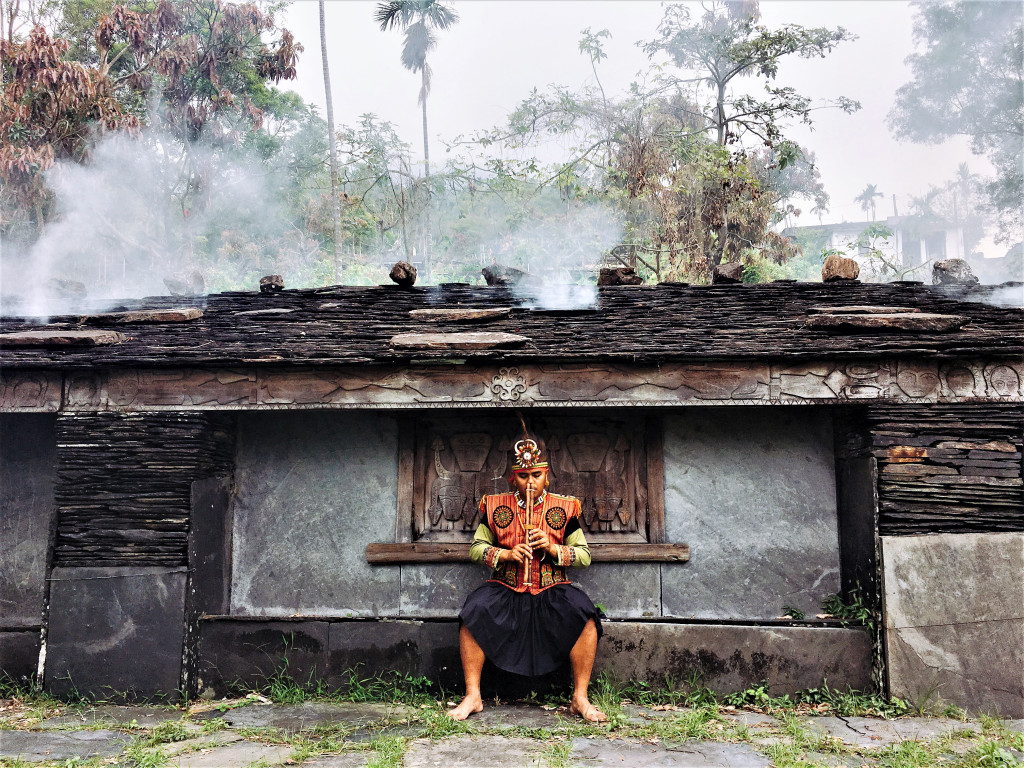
point(118, 592)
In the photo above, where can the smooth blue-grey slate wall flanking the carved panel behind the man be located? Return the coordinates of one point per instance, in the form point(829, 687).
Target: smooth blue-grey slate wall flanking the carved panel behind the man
point(753, 491)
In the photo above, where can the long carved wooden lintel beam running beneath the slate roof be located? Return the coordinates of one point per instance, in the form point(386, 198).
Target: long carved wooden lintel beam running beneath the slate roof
point(520, 387)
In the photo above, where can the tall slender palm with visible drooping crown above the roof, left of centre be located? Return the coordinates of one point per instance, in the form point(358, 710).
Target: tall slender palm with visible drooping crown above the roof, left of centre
point(419, 19)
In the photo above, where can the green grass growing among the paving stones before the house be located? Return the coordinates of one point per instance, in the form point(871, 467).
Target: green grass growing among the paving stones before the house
point(689, 712)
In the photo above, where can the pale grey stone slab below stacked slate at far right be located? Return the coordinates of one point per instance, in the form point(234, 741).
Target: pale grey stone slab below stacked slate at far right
point(955, 620)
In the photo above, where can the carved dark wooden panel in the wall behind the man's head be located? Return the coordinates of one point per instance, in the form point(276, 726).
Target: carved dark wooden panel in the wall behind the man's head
point(603, 461)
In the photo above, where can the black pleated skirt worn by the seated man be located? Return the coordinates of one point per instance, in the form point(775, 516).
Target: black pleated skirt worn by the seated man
point(527, 634)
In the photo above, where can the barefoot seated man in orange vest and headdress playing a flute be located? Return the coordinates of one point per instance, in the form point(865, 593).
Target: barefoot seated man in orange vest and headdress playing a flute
point(527, 619)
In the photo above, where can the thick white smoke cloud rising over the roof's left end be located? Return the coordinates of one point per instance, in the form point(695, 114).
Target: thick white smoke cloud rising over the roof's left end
point(144, 211)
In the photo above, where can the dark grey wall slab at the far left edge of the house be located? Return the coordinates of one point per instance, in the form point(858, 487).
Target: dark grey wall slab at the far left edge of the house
point(28, 472)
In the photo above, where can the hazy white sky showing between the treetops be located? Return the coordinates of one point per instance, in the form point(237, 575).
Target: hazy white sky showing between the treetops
point(501, 50)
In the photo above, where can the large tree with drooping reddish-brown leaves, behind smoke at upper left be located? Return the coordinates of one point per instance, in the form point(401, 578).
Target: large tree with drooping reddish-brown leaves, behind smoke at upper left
point(197, 75)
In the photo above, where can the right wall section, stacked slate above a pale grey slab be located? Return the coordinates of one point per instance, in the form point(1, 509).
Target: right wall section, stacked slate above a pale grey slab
point(951, 500)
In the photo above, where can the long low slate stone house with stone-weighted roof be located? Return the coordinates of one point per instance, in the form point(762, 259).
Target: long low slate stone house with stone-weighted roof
point(201, 493)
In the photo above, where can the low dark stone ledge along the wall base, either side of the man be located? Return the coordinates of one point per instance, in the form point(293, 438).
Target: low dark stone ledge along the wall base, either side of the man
point(236, 654)
